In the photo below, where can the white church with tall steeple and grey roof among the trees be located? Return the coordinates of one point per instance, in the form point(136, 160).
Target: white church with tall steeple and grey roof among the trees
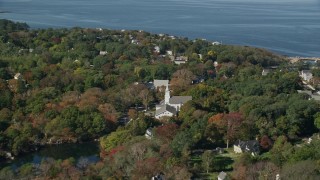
point(170, 105)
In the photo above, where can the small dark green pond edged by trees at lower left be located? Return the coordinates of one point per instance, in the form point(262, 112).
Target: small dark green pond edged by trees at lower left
point(88, 151)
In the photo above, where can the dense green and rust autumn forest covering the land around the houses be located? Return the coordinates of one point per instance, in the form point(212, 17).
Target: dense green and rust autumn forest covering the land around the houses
point(74, 85)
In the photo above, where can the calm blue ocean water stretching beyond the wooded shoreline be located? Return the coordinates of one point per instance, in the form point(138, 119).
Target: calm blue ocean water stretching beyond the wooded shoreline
point(287, 27)
